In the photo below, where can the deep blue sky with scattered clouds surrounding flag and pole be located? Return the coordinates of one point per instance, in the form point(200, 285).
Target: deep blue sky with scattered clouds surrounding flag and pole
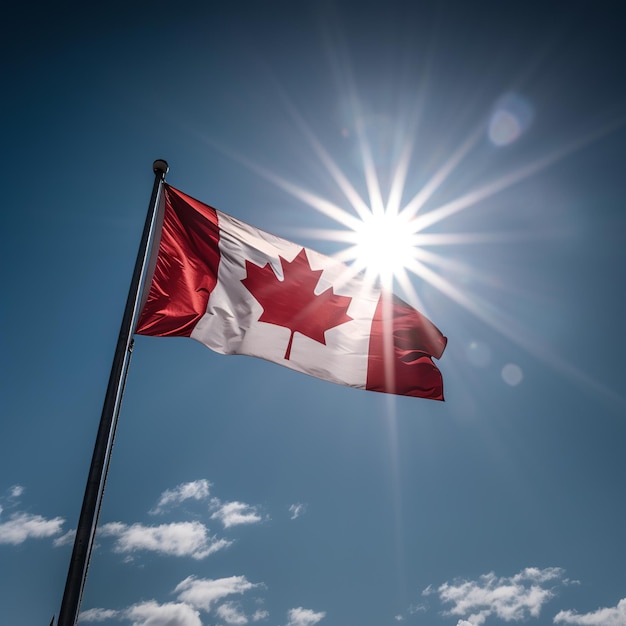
point(245, 493)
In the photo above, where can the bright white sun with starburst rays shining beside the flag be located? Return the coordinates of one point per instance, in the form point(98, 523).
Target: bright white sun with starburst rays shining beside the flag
point(390, 242)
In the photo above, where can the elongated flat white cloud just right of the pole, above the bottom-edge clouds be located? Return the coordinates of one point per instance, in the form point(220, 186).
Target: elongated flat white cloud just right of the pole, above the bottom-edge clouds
point(176, 539)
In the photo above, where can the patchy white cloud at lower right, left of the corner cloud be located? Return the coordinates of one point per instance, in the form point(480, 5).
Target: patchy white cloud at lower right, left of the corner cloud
point(511, 599)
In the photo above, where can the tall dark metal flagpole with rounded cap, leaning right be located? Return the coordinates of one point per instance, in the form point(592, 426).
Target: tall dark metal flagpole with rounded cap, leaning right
point(94, 490)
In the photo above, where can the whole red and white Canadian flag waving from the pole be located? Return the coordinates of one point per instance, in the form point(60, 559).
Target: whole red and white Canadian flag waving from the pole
point(240, 290)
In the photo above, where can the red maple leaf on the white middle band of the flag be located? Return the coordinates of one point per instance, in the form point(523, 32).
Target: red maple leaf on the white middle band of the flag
point(292, 302)
